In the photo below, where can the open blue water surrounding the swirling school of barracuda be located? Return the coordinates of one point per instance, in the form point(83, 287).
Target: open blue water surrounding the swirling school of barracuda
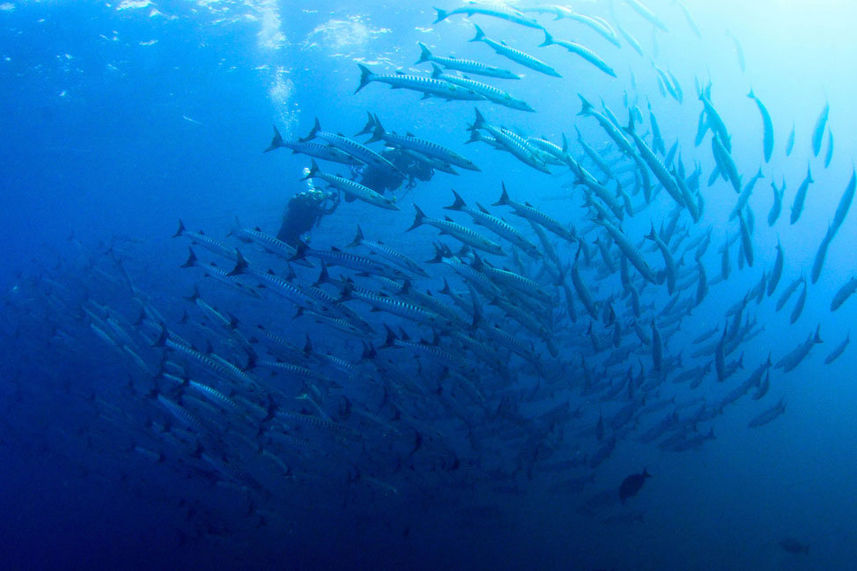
point(96, 143)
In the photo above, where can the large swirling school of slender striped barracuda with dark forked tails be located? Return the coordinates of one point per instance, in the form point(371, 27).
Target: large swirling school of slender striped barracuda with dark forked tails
point(522, 351)
